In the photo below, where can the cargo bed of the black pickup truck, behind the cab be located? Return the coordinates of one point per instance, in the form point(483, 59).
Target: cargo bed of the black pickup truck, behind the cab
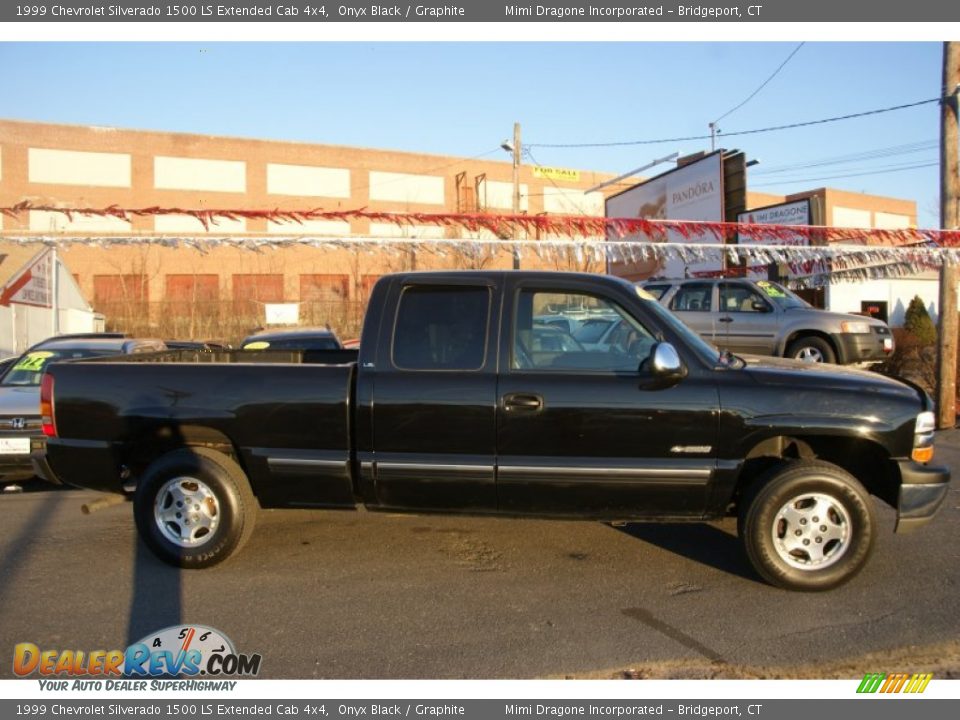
point(282, 415)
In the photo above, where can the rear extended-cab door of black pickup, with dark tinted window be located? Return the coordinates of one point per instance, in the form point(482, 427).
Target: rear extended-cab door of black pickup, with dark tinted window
point(427, 395)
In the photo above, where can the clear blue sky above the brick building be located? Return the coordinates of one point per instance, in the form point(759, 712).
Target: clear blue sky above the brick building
point(463, 98)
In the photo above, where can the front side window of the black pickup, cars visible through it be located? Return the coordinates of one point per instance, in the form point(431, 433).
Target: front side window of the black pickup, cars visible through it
point(603, 337)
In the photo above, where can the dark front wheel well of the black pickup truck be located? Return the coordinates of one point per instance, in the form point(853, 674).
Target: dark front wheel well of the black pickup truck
point(866, 460)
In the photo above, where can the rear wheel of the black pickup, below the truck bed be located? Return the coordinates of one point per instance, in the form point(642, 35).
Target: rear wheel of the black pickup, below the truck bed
point(223, 514)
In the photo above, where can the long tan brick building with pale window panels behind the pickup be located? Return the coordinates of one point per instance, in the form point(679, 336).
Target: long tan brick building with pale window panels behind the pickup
point(220, 293)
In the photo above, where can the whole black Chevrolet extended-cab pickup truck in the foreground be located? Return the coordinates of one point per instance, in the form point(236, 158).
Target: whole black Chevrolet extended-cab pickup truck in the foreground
point(463, 400)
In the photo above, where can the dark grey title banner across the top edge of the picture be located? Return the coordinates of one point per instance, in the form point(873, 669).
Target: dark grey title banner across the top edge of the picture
point(320, 11)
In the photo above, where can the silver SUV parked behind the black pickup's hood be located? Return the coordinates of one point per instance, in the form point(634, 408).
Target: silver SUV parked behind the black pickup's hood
point(761, 317)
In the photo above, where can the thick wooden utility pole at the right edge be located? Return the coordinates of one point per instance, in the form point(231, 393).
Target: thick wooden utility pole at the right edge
point(949, 275)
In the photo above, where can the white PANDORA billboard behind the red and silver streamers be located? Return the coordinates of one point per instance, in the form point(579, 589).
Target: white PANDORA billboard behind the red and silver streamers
point(690, 192)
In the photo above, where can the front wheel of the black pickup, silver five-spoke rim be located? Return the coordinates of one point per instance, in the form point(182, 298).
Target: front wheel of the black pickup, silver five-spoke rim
point(778, 532)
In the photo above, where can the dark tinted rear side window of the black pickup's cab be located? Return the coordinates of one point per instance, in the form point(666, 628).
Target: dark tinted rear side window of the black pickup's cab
point(441, 328)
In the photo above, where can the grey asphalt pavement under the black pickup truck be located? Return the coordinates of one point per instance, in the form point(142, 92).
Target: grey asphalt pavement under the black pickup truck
point(366, 595)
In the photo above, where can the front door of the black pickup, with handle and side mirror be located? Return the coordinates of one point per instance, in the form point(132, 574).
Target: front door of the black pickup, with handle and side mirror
point(586, 431)
